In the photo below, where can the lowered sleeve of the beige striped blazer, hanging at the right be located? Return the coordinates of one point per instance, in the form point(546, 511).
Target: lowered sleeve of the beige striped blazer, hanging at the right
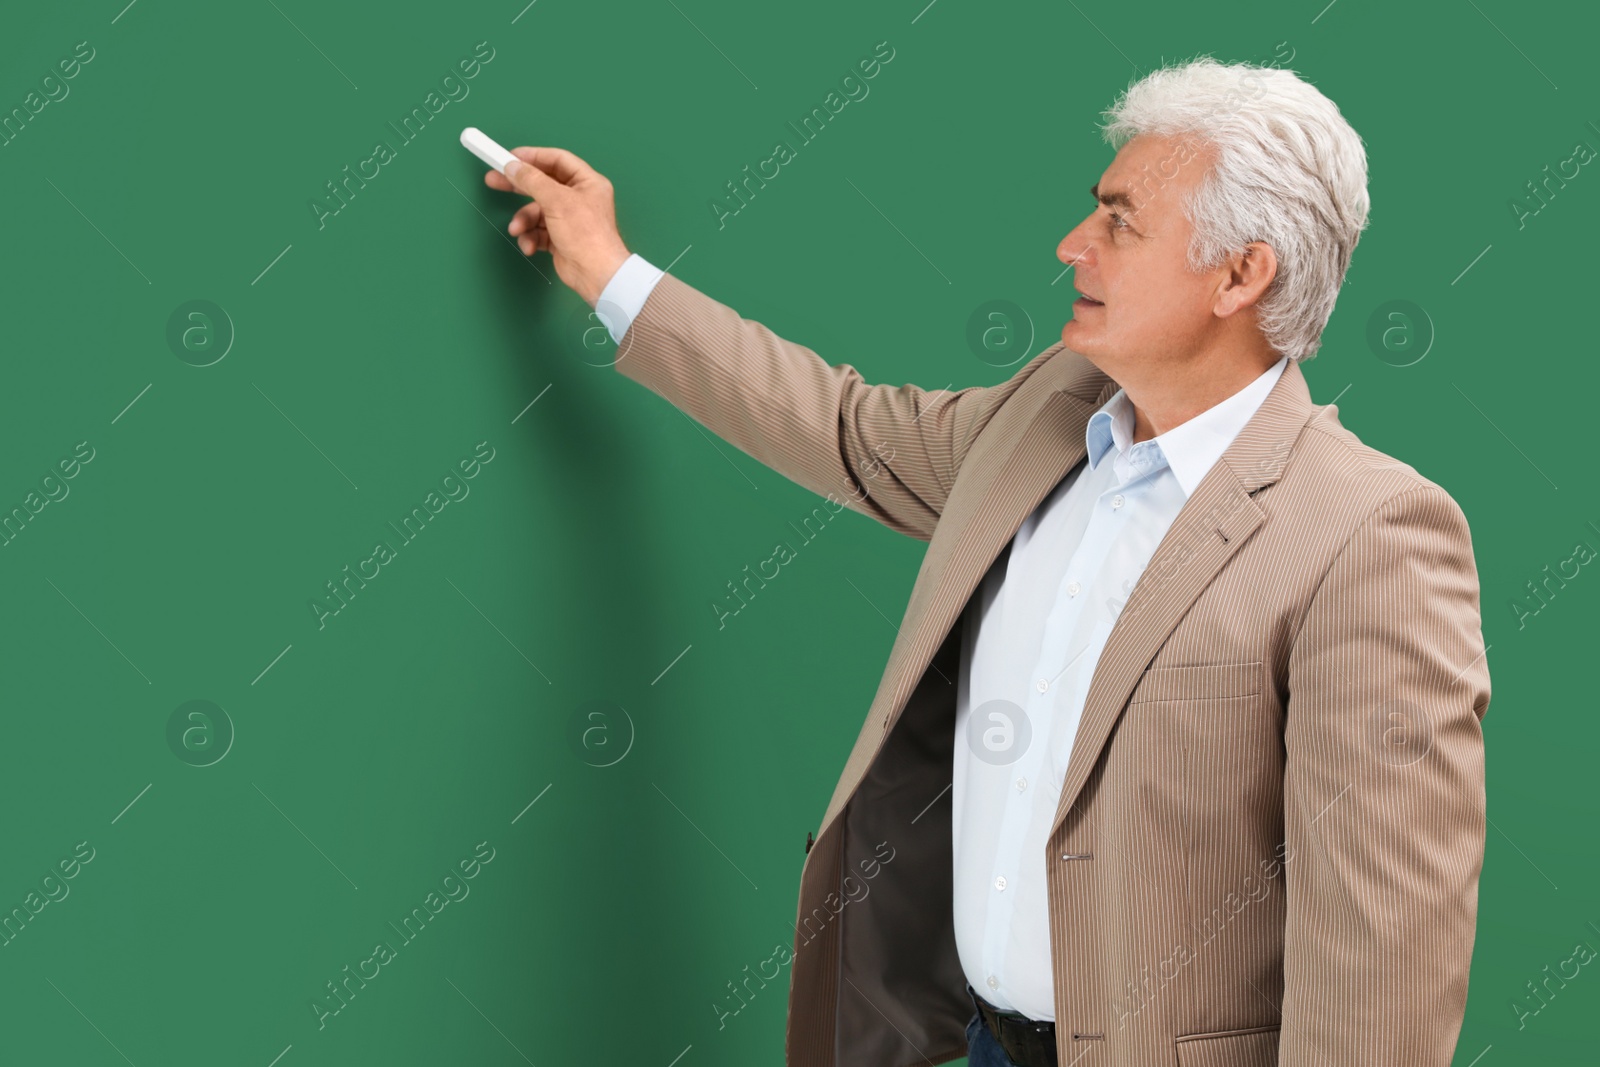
point(1383, 794)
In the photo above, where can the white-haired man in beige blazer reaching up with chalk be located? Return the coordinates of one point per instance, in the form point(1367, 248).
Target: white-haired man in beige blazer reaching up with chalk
point(1177, 757)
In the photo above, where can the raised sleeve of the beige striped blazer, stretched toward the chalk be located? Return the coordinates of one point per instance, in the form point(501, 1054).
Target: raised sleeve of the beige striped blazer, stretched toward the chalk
point(887, 452)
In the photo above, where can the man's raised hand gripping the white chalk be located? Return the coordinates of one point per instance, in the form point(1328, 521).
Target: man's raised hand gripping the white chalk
point(572, 217)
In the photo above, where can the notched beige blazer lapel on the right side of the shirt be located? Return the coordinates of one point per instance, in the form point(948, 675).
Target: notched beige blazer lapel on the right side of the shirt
point(1209, 530)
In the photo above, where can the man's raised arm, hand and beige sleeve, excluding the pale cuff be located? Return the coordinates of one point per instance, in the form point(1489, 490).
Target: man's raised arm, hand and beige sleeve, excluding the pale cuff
point(889, 452)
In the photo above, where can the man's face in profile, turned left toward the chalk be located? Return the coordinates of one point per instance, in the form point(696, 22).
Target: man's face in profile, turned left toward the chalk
point(1130, 257)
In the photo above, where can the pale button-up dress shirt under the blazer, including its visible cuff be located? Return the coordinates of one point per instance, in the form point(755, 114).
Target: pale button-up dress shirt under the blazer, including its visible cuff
point(1033, 636)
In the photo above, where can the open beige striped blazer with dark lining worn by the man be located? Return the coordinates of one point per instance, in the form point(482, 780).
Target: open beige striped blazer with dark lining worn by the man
point(1271, 829)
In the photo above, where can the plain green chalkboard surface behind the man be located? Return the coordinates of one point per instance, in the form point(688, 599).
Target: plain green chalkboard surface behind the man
point(375, 353)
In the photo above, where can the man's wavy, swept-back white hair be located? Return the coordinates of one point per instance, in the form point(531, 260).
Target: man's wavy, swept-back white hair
point(1289, 172)
